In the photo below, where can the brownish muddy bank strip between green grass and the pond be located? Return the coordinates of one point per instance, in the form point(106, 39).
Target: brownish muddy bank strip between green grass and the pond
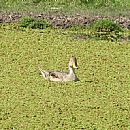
point(61, 20)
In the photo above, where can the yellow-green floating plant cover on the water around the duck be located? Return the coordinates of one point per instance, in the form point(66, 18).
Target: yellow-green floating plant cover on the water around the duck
point(99, 101)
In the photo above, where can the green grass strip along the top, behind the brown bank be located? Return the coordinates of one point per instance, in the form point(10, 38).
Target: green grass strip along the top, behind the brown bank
point(86, 7)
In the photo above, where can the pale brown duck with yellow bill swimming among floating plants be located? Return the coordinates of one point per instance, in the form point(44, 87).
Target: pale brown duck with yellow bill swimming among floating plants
point(62, 76)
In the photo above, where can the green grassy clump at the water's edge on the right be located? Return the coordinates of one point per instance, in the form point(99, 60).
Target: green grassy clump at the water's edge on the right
point(106, 30)
